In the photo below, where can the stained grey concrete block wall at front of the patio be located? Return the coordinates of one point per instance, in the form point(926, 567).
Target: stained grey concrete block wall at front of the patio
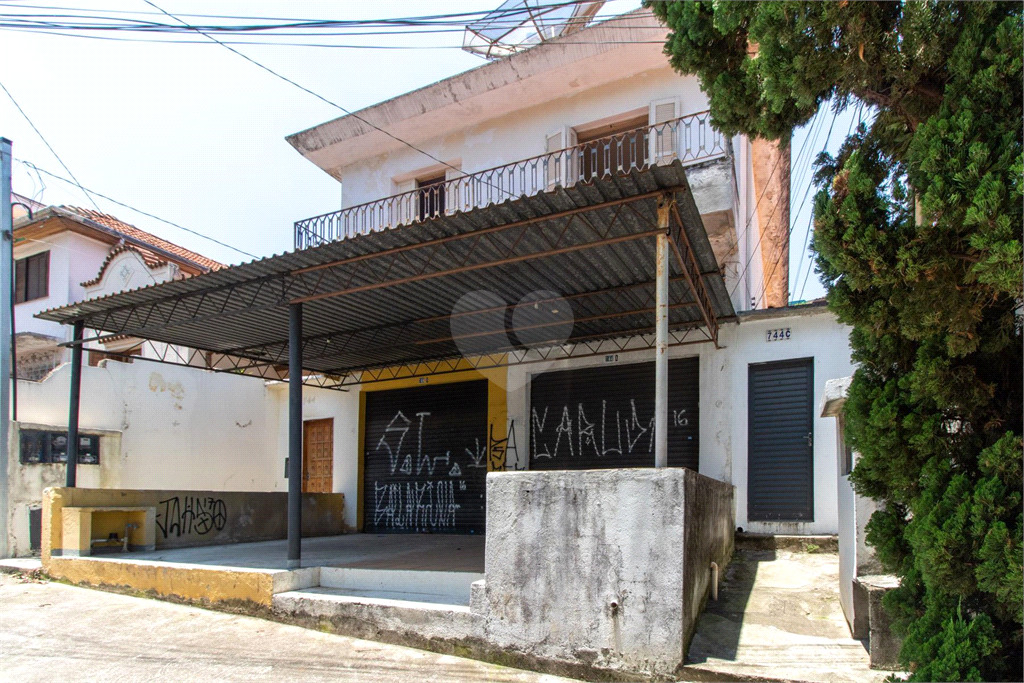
point(606, 568)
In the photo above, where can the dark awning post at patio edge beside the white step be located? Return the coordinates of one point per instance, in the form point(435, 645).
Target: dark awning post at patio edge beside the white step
point(295, 436)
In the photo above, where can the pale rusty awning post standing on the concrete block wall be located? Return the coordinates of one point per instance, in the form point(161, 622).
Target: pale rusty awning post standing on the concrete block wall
point(662, 339)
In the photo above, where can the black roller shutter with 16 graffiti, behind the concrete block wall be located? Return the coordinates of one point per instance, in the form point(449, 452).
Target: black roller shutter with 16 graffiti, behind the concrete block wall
point(599, 418)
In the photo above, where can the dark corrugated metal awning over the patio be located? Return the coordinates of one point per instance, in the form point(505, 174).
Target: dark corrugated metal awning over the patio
point(388, 298)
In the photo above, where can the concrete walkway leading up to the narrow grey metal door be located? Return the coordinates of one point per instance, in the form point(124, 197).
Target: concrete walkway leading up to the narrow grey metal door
point(779, 619)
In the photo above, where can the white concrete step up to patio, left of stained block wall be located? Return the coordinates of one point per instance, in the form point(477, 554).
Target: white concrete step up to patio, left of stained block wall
point(441, 587)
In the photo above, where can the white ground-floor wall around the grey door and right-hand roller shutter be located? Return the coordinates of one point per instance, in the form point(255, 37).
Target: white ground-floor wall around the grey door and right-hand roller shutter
point(816, 333)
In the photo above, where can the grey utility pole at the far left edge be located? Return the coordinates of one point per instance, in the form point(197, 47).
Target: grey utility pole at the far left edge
point(7, 362)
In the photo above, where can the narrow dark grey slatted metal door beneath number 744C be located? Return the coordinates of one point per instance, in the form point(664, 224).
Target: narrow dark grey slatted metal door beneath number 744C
point(781, 442)
